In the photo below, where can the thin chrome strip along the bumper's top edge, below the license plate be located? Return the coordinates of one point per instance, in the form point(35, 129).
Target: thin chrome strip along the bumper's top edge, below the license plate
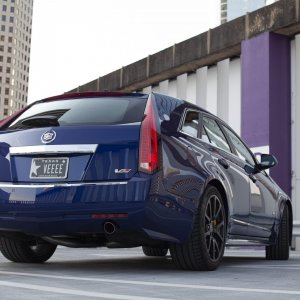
point(55, 185)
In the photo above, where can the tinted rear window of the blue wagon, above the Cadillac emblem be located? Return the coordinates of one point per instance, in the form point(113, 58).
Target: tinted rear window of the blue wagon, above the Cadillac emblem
point(88, 111)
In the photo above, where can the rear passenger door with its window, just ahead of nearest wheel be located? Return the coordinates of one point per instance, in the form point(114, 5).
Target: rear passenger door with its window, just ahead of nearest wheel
point(233, 172)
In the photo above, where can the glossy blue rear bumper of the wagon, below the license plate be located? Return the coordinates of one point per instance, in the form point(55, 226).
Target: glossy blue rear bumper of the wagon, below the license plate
point(70, 208)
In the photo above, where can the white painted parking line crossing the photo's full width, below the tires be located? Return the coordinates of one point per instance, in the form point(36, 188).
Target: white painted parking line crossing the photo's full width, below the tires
point(157, 284)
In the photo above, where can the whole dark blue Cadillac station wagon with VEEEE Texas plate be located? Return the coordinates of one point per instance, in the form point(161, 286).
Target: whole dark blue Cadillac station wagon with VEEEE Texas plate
point(130, 170)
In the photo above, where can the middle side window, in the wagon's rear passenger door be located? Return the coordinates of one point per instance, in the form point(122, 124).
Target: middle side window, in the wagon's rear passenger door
point(215, 134)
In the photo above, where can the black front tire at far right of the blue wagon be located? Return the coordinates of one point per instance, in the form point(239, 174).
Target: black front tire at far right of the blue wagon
point(281, 250)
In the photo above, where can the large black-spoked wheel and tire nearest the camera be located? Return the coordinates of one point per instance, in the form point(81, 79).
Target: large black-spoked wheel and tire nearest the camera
point(205, 248)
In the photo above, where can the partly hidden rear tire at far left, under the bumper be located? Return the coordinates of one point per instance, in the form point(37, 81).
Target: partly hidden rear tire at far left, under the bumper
point(34, 251)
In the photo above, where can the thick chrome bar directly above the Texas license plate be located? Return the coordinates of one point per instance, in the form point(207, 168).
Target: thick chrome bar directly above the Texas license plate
point(53, 149)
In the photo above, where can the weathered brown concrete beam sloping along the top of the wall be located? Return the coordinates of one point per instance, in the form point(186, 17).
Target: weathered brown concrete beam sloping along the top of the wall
point(205, 49)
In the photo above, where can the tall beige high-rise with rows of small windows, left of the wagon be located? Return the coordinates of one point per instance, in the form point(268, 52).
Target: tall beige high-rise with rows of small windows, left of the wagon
point(15, 40)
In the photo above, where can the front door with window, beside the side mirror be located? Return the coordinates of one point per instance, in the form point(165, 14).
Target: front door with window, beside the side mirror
point(262, 193)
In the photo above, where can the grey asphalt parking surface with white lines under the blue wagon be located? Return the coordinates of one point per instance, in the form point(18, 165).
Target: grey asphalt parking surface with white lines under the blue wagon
point(127, 274)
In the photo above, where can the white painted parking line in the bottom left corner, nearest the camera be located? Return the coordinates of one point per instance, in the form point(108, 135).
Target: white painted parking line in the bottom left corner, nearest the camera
point(74, 292)
